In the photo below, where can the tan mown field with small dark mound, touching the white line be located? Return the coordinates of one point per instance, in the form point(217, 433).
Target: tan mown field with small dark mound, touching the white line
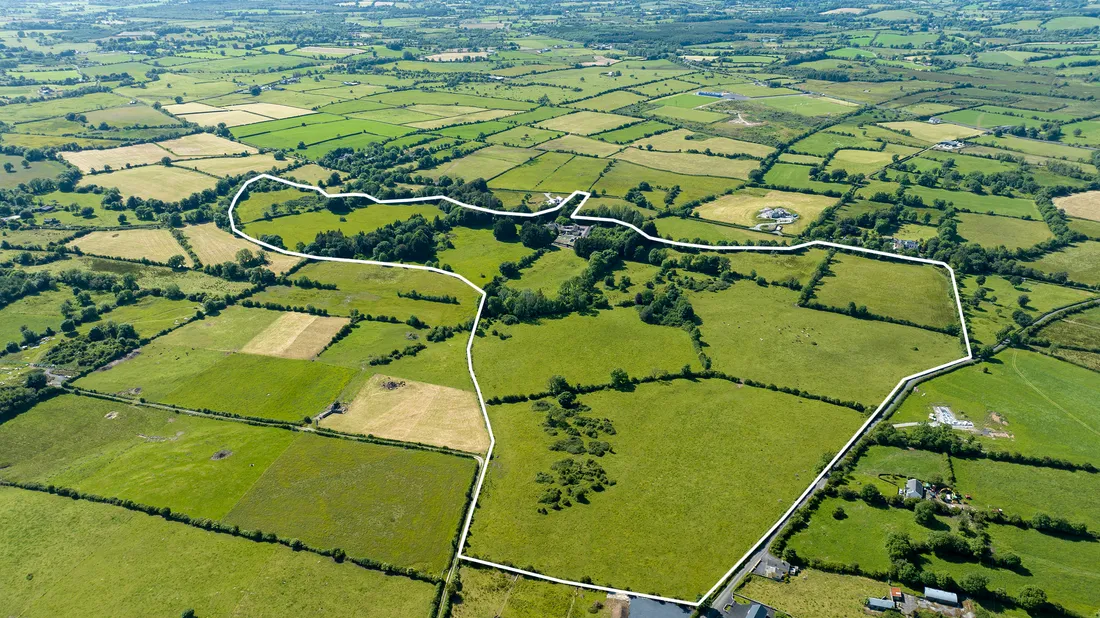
point(402, 410)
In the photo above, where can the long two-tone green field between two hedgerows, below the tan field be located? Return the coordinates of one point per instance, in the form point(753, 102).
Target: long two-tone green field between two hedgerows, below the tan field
point(395, 505)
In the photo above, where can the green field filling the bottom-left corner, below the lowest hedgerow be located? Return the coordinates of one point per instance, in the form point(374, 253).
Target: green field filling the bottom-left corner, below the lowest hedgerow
point(61, 556)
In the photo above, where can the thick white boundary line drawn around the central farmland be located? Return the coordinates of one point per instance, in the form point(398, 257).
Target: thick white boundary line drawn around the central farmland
point(481, 307)
